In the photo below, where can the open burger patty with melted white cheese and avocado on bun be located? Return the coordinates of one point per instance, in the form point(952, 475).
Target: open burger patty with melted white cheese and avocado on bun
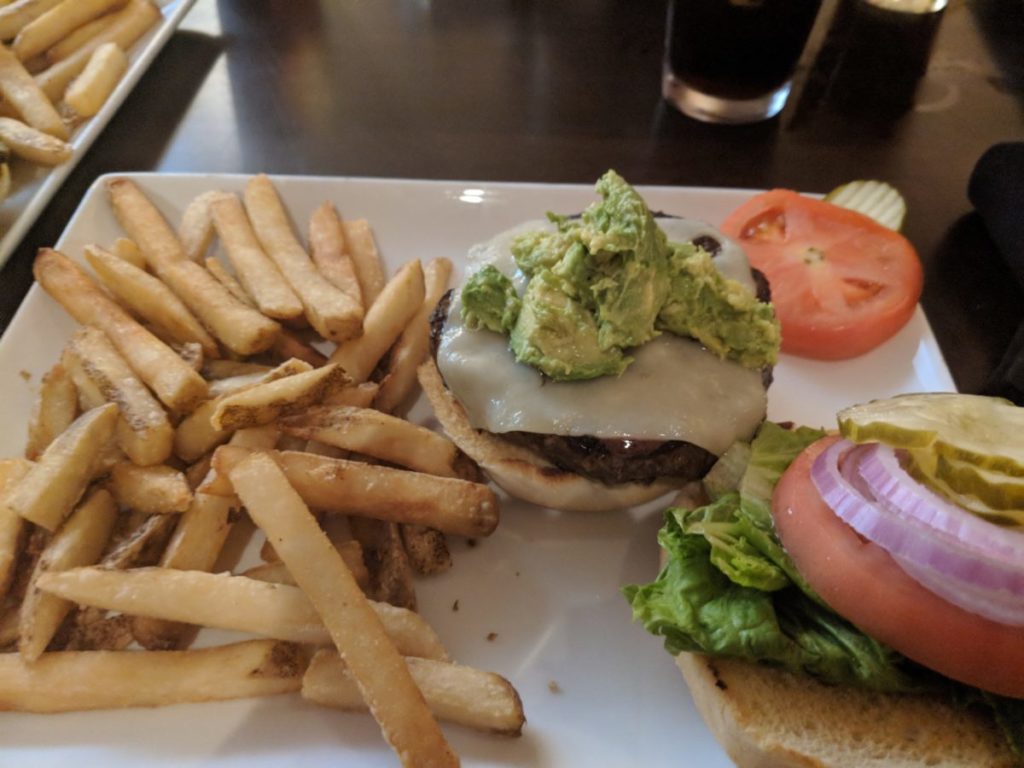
point(598, 362)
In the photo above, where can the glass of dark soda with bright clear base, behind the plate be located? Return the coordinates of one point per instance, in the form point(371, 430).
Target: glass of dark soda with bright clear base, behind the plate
point(734, 61)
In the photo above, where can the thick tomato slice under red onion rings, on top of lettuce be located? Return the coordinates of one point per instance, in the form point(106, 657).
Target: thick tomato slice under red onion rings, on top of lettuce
point(864, 584)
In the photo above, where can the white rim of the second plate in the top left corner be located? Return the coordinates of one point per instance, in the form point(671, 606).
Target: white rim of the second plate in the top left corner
point(33, 186)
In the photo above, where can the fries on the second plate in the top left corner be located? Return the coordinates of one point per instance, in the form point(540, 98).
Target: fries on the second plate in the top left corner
point(60, 62)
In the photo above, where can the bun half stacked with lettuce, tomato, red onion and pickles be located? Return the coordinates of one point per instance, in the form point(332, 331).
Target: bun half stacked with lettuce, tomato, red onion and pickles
point(856, 600)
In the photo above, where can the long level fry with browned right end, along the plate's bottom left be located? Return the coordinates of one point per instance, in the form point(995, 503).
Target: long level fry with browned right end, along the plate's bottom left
point(69, 681)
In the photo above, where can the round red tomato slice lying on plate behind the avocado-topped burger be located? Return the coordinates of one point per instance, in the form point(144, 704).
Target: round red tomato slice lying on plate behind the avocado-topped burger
point(841, 283)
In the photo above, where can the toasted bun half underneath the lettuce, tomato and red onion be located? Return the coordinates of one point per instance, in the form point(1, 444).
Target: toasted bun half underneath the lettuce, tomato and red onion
point(769, 718)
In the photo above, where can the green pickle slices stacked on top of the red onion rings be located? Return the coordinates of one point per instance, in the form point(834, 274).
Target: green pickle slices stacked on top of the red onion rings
point(965, 430)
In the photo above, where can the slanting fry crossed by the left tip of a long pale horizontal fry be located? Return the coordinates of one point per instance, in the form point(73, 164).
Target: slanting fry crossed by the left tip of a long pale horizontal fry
point(79, 542)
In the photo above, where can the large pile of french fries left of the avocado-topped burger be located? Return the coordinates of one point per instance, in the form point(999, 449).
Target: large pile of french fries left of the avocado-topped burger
point(204, 402)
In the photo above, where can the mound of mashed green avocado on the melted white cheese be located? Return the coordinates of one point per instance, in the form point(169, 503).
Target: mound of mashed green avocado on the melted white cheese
point(610, 281)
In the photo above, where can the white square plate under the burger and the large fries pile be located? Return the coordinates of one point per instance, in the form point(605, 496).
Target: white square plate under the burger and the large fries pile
point(598, 690)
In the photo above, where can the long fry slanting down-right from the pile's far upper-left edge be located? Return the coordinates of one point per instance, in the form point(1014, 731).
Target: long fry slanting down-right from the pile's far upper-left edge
point(173, 381)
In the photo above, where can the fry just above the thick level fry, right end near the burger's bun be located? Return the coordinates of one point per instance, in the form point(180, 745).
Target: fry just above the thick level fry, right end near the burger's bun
point(367, 432)
